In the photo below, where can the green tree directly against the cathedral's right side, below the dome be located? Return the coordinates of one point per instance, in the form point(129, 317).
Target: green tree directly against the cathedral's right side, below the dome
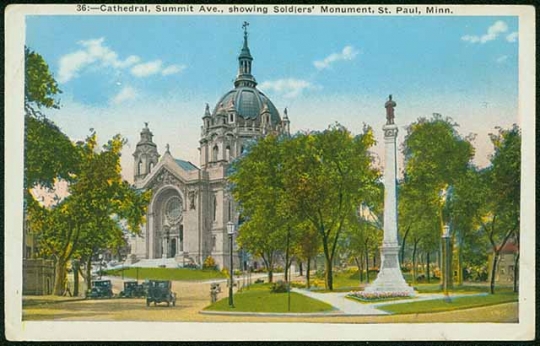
point(256, 183)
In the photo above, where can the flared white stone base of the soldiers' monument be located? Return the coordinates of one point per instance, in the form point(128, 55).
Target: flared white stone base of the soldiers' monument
point(390, 279)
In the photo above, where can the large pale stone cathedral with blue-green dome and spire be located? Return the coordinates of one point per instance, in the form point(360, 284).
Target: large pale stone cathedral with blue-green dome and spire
point(187, 216)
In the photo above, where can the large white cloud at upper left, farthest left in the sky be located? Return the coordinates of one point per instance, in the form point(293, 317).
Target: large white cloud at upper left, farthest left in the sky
point(93, 52)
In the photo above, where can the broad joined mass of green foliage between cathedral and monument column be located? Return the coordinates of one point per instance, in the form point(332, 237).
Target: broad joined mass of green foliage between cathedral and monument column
point(299, 187)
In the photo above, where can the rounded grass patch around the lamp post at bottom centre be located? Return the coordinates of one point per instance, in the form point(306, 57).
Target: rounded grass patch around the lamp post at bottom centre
point(258, 298)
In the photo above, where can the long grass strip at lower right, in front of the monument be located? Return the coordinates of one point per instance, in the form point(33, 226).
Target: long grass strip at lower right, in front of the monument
point(430, 306)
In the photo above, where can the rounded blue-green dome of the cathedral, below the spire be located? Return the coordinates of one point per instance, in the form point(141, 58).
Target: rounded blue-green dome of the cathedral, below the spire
point(248, 103)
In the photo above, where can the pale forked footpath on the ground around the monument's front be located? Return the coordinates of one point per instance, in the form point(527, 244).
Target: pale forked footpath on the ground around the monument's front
point(350, 307)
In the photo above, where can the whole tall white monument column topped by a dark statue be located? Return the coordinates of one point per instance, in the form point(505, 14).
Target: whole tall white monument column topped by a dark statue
point(390, 278)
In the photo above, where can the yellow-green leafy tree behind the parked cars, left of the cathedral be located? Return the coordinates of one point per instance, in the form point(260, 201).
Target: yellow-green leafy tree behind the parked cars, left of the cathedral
point(89, 218)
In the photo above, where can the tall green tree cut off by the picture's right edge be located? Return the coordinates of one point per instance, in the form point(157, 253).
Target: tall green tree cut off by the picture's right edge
point(501, 213)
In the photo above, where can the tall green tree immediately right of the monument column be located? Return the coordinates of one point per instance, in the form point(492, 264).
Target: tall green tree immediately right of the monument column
point(436, 157)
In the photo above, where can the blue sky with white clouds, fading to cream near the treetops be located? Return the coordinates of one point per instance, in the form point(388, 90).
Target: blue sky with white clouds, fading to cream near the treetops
point(117, 72)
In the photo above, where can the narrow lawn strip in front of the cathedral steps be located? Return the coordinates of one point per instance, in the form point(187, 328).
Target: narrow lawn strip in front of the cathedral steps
point(174, 274)
